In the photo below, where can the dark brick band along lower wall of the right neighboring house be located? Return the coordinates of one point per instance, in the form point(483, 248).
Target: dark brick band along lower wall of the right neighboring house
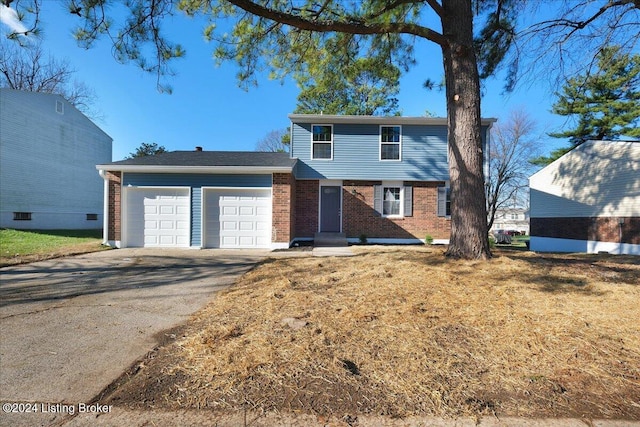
point(601, 229)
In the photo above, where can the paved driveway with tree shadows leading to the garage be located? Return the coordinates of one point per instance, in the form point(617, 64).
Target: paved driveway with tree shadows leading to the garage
point(69, 327)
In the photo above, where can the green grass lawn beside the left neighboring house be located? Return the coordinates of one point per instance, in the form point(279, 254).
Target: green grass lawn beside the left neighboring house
point(19, 246)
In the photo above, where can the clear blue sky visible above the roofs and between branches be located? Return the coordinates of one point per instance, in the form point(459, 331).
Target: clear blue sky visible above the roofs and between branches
point(207, 108)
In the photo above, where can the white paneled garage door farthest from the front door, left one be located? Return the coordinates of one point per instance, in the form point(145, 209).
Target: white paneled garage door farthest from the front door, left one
point(157, 217)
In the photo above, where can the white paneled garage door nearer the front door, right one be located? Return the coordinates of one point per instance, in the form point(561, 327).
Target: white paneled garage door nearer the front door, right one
point(237, 218)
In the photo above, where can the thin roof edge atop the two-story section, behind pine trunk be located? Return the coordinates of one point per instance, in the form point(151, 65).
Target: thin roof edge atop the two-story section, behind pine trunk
point(382, 120)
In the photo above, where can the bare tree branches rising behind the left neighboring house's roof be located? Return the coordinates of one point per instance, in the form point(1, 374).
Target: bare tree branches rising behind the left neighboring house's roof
point(27, 67)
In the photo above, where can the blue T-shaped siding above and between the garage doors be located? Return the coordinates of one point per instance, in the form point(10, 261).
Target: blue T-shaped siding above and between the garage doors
point(195, 182)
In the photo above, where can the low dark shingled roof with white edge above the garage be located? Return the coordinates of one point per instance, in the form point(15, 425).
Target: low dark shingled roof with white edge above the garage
point(206, 161)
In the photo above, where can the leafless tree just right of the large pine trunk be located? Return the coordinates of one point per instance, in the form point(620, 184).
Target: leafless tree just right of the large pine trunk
point(513, 143)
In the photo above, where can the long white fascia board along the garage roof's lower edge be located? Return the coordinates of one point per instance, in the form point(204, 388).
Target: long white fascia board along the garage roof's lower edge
point(237, 170)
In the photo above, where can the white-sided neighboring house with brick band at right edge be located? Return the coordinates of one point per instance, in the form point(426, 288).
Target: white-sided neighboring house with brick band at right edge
point(588, 200)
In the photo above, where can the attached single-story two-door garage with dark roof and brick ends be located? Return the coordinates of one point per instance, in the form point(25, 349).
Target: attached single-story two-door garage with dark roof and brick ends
point(200, 199)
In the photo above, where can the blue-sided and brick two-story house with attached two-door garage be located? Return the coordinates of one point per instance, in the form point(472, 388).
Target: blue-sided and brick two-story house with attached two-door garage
point(382, 177)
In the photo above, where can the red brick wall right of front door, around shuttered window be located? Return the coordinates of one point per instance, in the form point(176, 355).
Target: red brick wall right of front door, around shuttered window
point(359, 216)
